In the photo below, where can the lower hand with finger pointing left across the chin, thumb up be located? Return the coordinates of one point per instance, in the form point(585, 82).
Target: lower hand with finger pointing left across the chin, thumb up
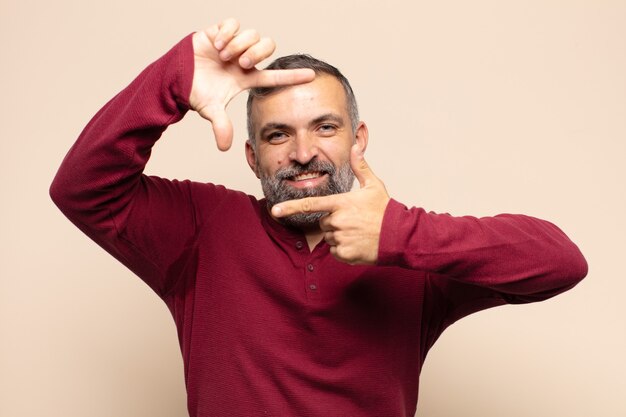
point(353, 223)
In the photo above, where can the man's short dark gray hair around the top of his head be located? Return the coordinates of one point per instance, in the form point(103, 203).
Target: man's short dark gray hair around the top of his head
point(304, 61)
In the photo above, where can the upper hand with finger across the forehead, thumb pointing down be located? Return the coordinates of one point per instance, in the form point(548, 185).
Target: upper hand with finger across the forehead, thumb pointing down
point(224, 61)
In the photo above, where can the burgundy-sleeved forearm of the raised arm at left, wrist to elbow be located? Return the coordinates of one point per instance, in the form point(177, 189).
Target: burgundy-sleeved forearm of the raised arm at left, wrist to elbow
point(102, 170)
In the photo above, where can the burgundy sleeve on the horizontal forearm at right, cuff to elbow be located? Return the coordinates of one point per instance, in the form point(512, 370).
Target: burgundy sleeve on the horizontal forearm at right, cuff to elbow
point(516, 258)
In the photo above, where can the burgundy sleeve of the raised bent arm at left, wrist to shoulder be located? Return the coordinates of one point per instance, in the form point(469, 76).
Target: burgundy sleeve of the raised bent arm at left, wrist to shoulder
point(145, 222)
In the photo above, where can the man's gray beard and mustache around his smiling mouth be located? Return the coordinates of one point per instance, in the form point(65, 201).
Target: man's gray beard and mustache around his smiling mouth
point(276, 190)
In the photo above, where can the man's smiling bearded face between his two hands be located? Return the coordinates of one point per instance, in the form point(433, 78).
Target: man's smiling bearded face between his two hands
point(303, 135)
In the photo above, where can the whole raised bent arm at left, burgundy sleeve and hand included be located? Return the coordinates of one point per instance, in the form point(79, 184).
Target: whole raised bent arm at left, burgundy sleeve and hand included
point(146, 222)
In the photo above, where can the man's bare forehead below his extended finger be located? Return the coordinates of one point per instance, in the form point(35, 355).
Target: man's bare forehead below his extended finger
point(300, 104)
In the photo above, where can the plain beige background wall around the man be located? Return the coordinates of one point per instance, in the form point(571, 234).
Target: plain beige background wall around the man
point(474, 107)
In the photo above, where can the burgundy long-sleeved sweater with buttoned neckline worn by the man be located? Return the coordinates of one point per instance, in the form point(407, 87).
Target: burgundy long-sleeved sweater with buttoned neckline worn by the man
point(266, 327)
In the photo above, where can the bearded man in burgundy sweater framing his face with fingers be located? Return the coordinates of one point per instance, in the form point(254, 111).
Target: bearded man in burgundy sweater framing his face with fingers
point(318, 306)
